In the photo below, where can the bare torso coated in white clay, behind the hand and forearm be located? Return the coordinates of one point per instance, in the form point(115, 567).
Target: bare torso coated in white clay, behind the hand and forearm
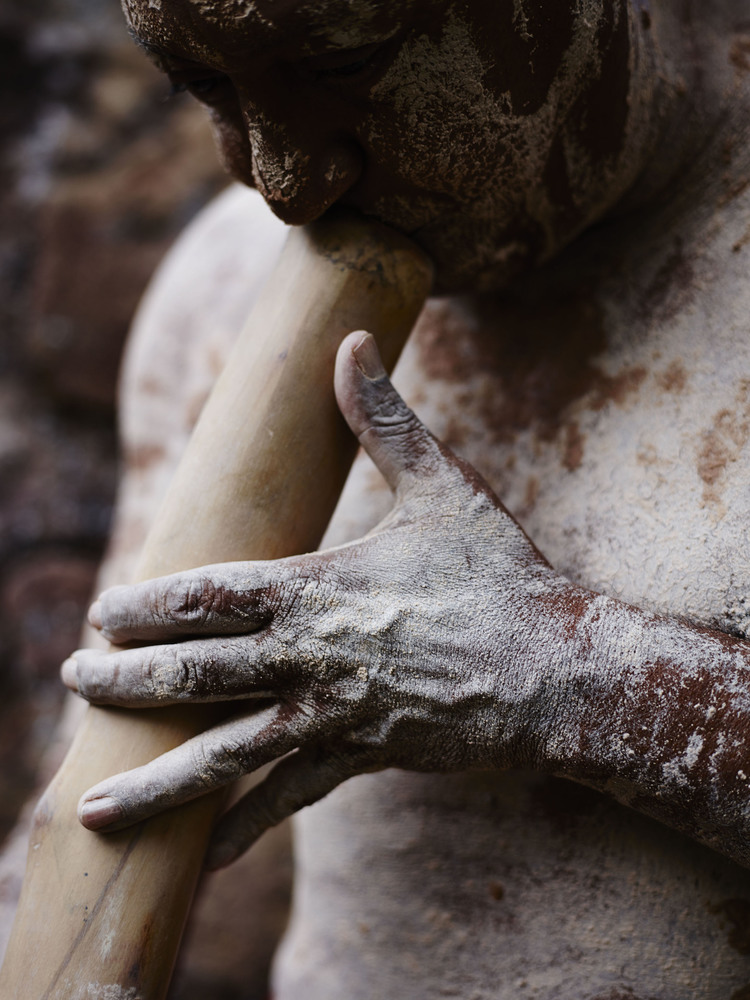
point(612, 416)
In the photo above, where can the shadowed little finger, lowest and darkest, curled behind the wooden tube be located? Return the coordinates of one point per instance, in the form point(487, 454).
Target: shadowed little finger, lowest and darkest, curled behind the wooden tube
point(295, 782)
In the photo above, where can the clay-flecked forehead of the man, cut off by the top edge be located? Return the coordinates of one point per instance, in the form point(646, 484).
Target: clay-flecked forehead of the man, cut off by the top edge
point(219, 26)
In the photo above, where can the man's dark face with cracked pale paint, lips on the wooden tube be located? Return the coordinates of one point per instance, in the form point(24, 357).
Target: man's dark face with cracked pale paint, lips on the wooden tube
point(479, 127)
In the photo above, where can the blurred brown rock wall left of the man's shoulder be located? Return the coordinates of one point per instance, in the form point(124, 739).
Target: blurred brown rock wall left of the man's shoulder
point(99, 171)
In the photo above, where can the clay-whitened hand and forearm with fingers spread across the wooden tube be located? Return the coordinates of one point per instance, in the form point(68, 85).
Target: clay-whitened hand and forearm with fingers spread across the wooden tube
point(472, 675)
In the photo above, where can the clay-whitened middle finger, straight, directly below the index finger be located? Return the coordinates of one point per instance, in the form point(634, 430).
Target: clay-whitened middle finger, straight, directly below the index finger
point(199, 670)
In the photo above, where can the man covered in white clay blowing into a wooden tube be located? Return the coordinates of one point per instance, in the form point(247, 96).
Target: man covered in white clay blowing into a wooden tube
point(579, 174)
